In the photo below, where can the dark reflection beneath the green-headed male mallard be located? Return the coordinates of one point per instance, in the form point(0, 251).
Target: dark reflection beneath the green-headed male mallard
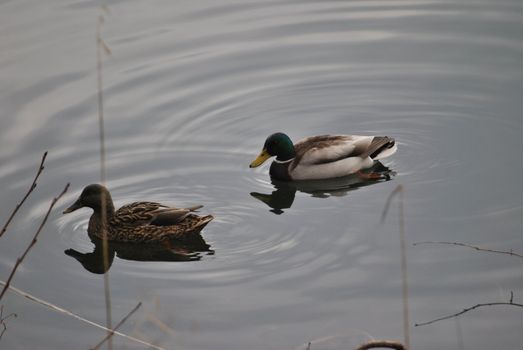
point(285, 192)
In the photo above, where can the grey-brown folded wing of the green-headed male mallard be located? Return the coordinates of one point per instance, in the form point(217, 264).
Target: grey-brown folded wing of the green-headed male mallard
point(330, 148)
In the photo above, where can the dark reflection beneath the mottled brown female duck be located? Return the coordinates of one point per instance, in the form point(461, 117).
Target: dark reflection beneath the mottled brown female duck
point(191, 249)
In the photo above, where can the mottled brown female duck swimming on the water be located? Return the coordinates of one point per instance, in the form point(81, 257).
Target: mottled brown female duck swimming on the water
point(138, 222)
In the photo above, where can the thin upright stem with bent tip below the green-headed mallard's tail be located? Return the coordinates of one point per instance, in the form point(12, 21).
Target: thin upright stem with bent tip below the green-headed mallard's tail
point(405, 286)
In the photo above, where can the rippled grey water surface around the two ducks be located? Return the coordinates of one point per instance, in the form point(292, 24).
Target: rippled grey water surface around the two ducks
point(192, 89)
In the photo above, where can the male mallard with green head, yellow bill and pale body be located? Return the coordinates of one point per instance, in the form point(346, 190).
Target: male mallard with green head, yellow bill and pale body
point(324, 156)
